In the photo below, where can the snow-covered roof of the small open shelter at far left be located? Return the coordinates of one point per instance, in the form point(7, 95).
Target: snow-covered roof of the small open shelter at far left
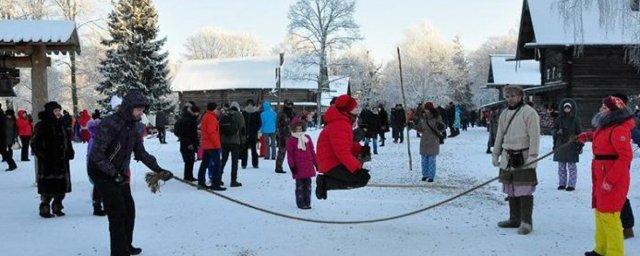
point(48, 32)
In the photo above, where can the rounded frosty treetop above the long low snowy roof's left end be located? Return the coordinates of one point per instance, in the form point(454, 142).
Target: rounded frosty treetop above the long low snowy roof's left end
point(212, 43)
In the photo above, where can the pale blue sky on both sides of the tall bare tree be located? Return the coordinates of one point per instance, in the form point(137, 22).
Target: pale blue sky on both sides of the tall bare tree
point(382, 22)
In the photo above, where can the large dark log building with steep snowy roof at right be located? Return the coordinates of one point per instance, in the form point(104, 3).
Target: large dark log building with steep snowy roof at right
point(586, 66)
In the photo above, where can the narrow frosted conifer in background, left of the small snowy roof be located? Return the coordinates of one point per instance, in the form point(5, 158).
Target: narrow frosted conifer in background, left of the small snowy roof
point(460, 80)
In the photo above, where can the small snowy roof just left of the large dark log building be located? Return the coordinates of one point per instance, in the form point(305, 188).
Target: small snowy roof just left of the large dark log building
point(504, 70)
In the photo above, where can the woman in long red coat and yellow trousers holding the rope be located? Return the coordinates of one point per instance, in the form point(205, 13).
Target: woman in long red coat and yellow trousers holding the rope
point(610, 172)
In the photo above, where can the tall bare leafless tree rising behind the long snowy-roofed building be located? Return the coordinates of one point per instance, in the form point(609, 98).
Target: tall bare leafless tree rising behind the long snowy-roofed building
point(322, 26)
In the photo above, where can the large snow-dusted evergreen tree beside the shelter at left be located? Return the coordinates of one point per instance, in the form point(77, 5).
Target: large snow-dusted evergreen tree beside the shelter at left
point(133, 60)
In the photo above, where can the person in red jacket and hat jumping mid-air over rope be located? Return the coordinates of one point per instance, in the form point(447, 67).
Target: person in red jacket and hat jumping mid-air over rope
point(337, 153)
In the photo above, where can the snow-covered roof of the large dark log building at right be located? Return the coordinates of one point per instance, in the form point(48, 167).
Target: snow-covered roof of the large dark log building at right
point(550, 29)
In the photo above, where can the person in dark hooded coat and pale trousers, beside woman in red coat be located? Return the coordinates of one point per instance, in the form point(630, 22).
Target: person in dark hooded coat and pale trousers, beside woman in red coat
point(567, 125)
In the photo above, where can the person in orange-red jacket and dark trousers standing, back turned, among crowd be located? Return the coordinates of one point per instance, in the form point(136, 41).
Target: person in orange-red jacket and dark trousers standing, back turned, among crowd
point(210, 143)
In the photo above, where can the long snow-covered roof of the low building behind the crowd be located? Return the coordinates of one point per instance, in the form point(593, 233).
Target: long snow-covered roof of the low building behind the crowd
point(234, 74)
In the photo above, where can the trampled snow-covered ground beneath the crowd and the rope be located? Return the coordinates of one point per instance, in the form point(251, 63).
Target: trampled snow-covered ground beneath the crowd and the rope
point(183, 221)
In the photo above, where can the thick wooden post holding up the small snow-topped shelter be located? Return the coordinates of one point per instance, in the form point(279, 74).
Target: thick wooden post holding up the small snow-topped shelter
point(39, 90)
